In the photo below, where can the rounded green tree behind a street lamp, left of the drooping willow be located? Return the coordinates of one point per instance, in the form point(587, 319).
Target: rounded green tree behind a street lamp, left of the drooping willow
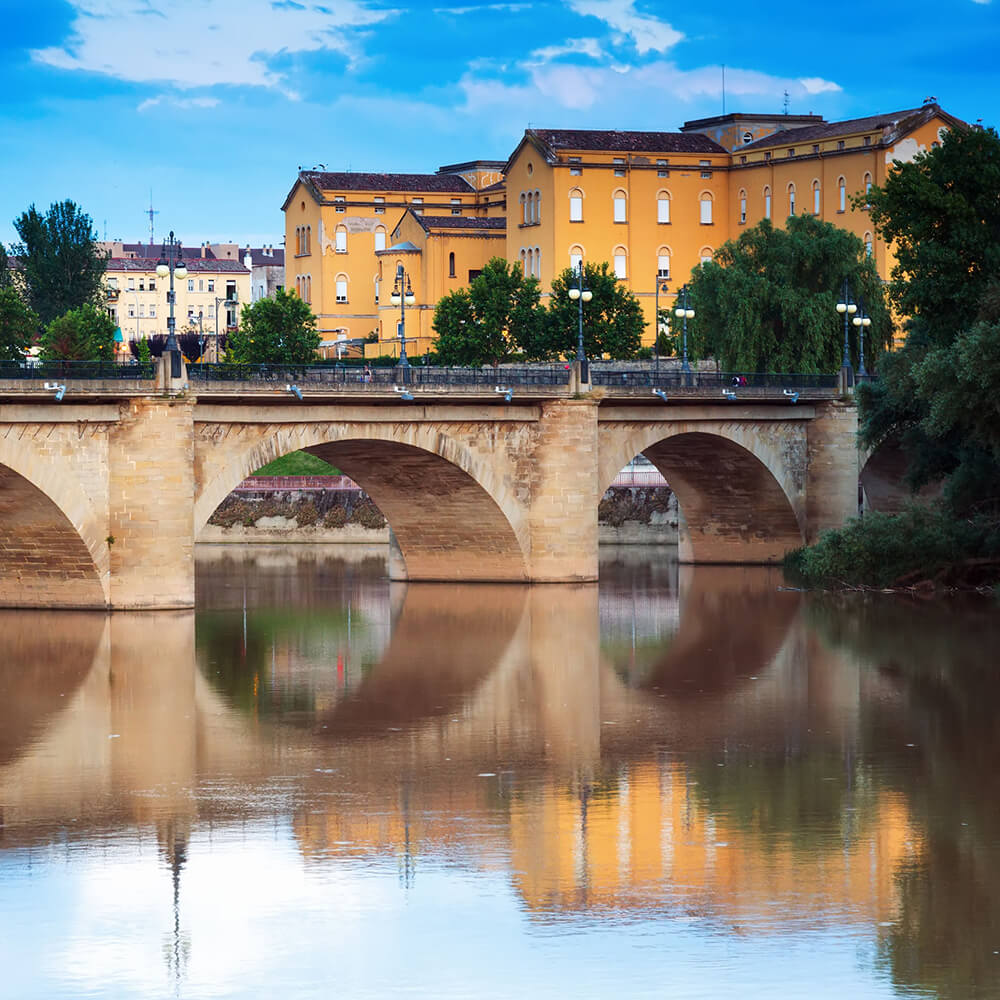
point(612, 319)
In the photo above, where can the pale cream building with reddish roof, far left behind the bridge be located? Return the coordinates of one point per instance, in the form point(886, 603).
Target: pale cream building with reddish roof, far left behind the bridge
point(207, 299)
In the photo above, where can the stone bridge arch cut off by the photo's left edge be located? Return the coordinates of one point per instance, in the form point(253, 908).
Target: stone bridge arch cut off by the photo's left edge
point(53, 548)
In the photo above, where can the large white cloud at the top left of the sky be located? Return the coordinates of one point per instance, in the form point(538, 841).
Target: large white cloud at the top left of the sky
point(201, 43)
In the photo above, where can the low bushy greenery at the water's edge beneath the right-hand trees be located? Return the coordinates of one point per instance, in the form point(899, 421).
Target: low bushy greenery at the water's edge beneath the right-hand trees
point(919, 546)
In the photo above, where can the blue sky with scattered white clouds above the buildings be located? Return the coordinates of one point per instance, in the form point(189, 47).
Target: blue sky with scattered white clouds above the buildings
point(214, 104)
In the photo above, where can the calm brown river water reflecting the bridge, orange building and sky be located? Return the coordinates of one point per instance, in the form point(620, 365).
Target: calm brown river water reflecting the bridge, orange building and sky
point(676, 783)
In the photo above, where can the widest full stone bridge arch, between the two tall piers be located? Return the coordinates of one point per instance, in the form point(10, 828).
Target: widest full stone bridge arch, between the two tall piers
point(453, 514)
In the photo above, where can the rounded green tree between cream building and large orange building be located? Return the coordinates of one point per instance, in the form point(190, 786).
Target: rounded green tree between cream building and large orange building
point(278, 331)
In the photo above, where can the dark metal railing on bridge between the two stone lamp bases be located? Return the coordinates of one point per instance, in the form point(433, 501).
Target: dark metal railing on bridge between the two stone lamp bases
point(415, 375)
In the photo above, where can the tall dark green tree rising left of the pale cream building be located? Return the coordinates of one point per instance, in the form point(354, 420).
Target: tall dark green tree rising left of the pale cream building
point(62, 265)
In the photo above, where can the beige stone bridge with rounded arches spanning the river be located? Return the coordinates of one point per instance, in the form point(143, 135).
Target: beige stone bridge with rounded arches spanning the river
point(103, 492)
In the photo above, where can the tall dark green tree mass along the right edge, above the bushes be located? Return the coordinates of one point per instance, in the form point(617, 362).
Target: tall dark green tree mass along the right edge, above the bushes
point(937, 395)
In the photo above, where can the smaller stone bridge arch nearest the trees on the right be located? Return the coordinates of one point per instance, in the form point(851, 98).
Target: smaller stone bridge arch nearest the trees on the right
point(740, 490)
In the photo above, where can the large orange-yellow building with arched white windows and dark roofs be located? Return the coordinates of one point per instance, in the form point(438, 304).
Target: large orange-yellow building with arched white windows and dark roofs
point(653, 205)
